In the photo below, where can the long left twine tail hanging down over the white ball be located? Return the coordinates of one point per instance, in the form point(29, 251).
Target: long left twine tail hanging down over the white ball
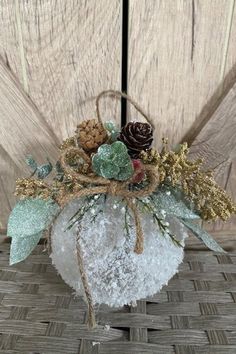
point(91, 312)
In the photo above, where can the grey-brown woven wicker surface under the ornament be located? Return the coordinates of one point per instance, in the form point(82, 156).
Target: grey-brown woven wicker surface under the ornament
point(194, 314)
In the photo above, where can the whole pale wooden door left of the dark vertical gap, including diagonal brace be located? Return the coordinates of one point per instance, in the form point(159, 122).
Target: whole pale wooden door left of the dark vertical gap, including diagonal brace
point(63, 53)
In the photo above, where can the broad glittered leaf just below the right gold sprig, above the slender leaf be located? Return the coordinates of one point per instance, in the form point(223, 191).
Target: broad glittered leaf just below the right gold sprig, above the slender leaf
point(171, 201)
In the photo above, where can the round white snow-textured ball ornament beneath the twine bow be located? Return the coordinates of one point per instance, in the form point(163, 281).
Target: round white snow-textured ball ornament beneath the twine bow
point(115, 273)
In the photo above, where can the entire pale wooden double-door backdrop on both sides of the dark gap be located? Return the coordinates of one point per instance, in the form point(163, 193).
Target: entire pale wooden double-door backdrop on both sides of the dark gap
point(182, 61)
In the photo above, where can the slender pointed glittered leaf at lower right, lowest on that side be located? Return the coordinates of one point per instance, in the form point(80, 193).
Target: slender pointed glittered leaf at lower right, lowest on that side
point(203, 236)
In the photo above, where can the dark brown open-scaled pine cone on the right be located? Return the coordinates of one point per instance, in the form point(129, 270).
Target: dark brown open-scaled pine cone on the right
point(137, 137)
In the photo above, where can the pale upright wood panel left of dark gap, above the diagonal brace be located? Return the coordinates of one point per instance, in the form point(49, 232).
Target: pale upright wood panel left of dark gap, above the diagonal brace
point(64, 53)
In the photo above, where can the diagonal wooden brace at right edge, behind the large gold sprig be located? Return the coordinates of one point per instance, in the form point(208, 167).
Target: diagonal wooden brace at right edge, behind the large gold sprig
point(216, 143)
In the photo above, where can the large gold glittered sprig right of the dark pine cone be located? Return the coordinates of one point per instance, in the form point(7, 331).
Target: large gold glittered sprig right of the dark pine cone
point(199, 186)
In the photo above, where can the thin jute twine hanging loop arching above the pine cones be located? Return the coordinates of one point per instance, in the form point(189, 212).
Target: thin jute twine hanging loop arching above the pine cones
point(114, 93)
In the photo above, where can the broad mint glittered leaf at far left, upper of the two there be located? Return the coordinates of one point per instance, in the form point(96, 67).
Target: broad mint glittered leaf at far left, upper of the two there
point(31, 216)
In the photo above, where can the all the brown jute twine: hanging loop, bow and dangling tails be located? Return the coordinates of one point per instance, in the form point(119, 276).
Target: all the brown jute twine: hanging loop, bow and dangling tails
point(94, 184)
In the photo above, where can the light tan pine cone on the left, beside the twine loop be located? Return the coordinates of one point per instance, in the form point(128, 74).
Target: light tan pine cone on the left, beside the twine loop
point(91, 134)
